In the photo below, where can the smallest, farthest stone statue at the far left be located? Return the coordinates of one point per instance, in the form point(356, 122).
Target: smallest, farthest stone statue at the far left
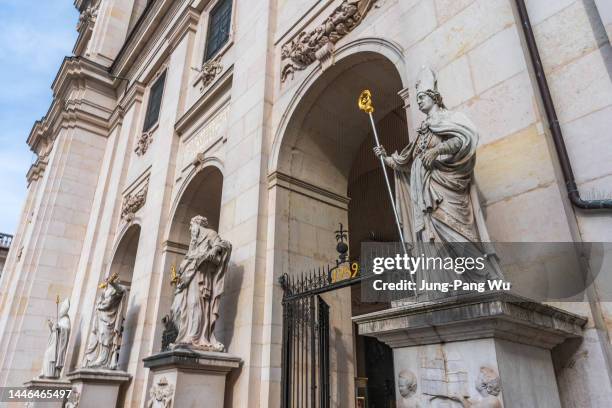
point(55, 354)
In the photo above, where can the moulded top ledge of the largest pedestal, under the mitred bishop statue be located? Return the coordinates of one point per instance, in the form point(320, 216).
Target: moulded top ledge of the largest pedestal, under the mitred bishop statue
point(473, 316)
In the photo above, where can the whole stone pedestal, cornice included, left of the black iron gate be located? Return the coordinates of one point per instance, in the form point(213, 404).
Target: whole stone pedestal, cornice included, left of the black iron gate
point(189, 378)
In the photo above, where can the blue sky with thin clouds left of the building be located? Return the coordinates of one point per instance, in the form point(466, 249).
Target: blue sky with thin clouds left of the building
point(35, 36)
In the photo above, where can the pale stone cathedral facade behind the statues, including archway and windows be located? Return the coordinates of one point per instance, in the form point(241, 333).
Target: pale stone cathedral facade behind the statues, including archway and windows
point(245, 112)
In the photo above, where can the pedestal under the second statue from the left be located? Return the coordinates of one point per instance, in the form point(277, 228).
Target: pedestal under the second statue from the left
point(97, 387)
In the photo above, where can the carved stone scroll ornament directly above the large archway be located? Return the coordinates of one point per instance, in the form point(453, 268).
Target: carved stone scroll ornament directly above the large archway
point(318, 44)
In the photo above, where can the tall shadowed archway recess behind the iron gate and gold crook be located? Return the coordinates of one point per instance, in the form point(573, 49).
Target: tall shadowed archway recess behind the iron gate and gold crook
point(325, 173)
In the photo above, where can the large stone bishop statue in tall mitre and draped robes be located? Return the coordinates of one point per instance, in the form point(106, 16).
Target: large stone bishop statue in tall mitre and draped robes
point(435, 192)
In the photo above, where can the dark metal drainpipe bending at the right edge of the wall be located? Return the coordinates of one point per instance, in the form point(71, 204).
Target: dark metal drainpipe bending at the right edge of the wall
point(553, 121)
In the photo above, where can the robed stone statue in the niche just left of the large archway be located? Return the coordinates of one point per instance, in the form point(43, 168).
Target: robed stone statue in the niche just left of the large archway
point(199, 286)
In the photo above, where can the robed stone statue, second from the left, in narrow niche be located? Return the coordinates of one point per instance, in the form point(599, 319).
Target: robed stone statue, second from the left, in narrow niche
point(105, 338)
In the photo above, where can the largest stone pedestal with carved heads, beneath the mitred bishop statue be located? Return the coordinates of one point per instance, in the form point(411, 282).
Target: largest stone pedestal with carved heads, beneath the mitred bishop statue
point(487, 350)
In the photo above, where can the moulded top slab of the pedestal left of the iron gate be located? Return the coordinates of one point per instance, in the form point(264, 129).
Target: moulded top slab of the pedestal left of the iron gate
point(193, 360)
